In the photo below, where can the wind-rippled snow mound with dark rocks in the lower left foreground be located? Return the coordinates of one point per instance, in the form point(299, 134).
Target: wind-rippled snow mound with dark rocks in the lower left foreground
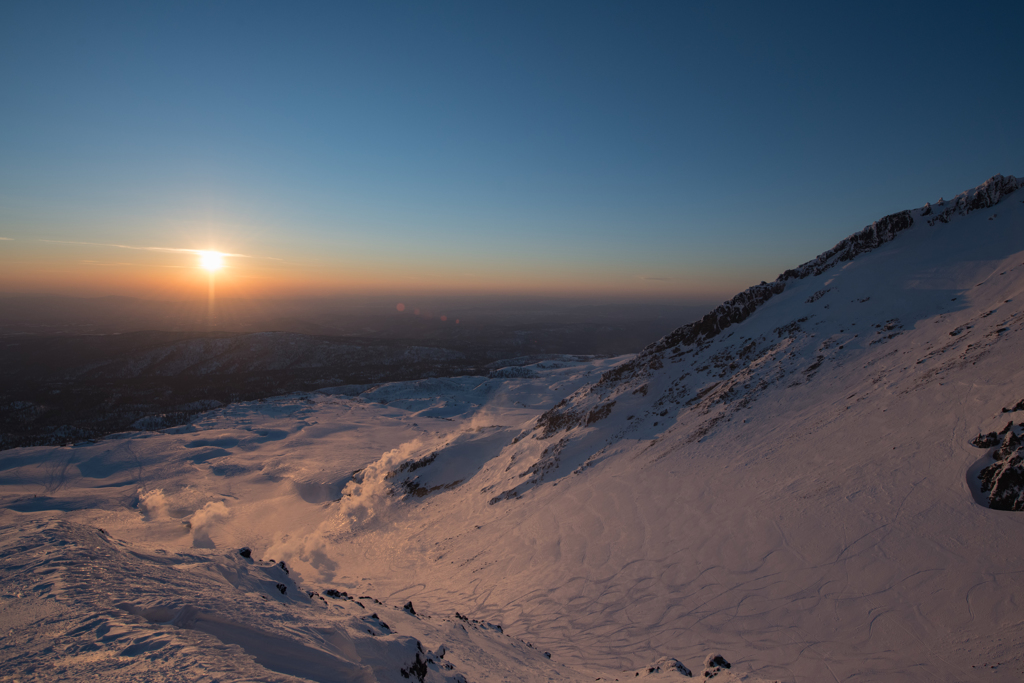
point(118, 614)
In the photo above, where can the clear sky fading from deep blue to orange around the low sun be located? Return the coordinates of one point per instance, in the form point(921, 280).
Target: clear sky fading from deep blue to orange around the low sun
point(664, 151)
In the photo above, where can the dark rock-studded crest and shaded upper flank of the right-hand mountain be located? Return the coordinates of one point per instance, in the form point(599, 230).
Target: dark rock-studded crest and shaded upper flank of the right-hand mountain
point(723, 377)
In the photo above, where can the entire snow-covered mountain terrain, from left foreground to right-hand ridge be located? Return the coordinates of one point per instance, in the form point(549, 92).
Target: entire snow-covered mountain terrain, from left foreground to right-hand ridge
point(799, 482)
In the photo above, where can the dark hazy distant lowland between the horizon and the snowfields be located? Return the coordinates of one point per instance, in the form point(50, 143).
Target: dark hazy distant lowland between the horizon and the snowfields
point(61, 387)
